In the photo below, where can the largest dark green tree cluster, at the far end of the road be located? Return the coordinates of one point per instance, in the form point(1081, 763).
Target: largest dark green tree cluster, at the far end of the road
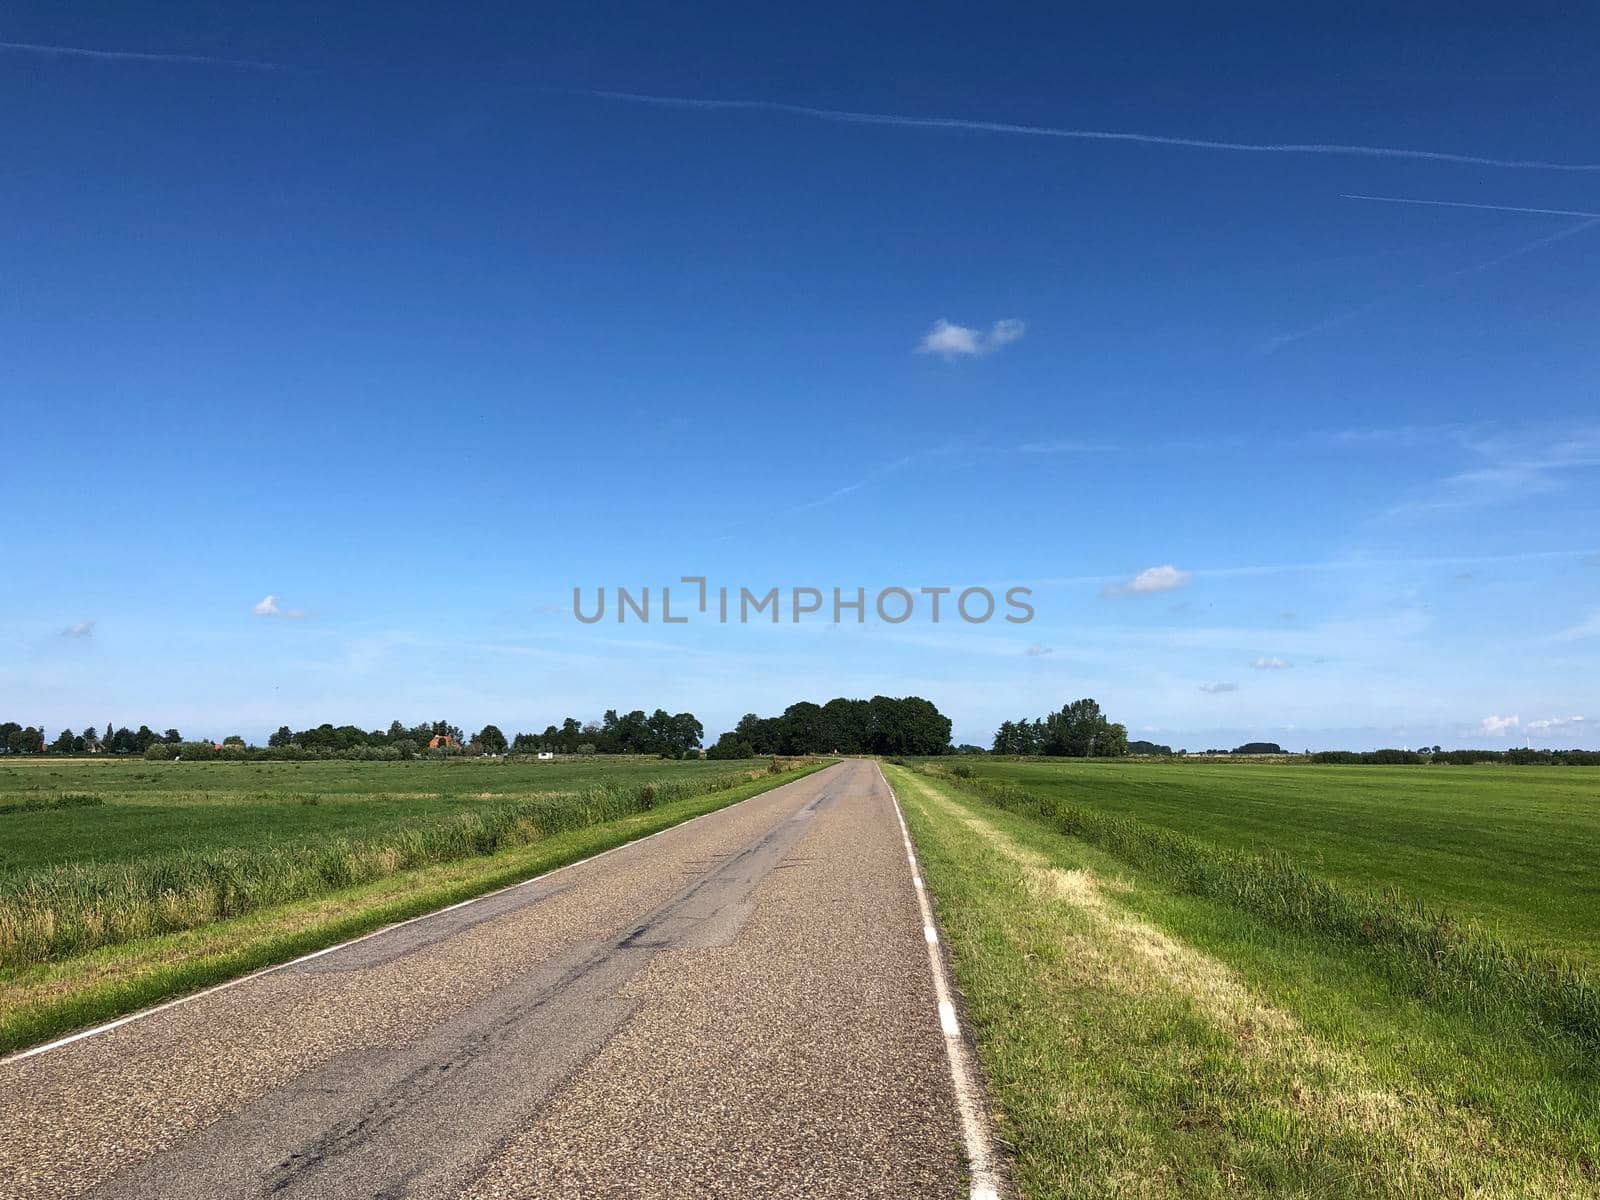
point(881, 726)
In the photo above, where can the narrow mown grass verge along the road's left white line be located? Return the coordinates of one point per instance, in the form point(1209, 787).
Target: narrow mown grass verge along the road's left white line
point(46, 1001)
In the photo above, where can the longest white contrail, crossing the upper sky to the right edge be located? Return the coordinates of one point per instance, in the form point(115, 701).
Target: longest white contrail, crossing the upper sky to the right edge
point(1079, 135)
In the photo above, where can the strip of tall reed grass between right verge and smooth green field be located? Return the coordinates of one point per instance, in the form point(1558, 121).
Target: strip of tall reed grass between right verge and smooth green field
point(1430, 954)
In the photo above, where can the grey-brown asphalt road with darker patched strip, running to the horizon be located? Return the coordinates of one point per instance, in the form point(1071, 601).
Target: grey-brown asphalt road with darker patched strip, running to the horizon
point(743, 1006)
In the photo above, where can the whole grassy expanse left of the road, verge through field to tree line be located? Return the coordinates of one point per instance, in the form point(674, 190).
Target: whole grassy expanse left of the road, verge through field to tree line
point(183, 876)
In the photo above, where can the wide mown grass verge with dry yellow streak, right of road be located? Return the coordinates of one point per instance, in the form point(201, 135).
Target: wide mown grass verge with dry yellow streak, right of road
point(1148, 1042)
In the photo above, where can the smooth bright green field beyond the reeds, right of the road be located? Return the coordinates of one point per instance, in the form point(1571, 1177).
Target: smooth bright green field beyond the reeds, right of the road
point(1511, 847)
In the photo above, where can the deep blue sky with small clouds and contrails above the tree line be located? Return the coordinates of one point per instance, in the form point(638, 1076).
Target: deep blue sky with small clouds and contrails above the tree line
point(415, 319)
